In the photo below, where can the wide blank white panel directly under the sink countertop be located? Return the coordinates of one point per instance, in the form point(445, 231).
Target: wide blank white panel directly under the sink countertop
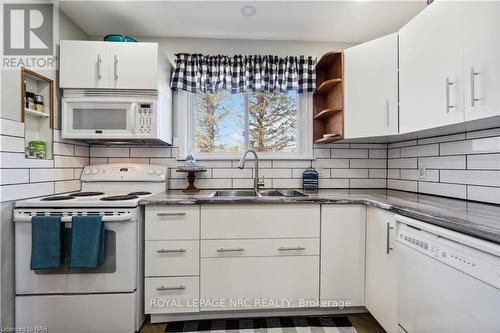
point(260, 221)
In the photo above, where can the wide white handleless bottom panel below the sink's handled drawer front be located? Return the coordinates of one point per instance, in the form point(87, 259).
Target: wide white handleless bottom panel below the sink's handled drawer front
point(256, 279)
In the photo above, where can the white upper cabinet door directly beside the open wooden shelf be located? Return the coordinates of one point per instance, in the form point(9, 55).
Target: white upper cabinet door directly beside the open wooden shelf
point(371, 88)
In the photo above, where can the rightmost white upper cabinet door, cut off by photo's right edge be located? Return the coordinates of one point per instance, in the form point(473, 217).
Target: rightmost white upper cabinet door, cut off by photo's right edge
point(481, 57)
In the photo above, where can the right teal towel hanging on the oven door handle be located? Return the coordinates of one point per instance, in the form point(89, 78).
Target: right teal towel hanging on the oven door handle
point(87, 242)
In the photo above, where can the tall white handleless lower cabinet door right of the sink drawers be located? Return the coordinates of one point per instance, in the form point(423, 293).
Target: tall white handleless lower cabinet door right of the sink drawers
point(342, 254)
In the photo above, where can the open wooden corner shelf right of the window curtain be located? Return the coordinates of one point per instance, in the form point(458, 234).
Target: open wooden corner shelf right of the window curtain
point(328, 111)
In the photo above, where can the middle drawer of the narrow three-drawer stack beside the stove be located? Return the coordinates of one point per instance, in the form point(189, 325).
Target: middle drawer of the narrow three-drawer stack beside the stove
point(171, 258)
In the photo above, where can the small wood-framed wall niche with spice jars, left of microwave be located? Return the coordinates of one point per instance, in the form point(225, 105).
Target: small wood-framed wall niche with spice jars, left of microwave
point(38, 125)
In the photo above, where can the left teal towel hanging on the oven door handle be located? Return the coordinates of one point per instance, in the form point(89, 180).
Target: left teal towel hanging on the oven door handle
point(46, 240)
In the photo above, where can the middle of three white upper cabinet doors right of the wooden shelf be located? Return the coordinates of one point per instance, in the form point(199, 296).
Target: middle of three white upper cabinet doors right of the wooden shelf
point(431, 68)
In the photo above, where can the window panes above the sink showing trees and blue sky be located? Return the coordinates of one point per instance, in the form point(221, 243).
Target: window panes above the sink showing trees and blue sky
point(220, 122)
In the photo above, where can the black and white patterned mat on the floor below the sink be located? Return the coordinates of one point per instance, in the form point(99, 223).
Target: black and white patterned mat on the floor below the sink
point(266, 325)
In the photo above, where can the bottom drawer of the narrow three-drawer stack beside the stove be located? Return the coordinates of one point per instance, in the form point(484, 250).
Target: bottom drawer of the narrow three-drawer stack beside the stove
point(171, 294)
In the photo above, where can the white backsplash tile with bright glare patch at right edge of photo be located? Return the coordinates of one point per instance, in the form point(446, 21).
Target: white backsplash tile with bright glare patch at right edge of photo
point(476, 146)
